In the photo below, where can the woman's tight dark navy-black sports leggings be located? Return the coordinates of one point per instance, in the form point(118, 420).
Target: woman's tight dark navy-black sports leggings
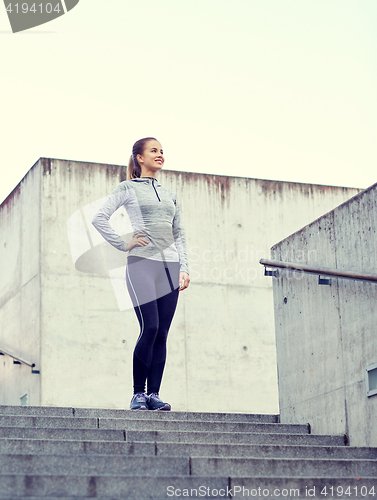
point(153, 289)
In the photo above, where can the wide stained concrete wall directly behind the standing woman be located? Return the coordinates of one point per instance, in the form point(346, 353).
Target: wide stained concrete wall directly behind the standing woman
point(221, 344)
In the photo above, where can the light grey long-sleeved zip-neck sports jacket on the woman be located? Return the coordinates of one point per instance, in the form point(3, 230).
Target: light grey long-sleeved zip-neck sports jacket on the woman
point(154, 211)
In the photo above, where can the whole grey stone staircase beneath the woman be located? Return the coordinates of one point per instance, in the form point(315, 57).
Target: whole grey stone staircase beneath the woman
point(64, 453)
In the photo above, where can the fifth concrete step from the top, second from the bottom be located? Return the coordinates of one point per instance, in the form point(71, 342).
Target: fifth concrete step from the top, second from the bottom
point(196, 466)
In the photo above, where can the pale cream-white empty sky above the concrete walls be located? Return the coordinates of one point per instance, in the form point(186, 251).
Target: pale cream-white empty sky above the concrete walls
point(272, 89)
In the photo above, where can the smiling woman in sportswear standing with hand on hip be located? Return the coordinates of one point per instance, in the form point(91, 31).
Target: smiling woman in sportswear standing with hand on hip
point(157, 266)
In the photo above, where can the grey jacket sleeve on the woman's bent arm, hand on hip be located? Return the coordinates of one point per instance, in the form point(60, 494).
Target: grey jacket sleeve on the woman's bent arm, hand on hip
point(100, 221)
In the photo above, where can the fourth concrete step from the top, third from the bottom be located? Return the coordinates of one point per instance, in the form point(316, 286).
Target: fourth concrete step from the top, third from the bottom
point(136, 448)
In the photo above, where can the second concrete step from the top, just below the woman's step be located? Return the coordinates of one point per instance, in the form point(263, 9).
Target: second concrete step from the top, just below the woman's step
point(146, 424)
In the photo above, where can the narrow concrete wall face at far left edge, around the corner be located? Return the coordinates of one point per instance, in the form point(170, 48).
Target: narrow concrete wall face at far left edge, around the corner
point(20, 290)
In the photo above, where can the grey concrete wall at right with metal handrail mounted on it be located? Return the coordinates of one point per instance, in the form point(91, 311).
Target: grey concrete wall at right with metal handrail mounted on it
point(326, 335)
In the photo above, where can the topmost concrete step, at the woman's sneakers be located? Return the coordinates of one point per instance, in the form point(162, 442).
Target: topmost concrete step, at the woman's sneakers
point(50, 411)
